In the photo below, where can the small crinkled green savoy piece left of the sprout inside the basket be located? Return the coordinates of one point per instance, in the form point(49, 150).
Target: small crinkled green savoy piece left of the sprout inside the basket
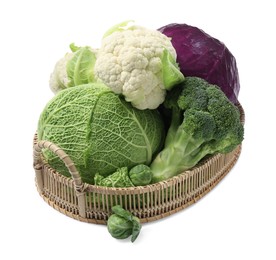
point(119, 178)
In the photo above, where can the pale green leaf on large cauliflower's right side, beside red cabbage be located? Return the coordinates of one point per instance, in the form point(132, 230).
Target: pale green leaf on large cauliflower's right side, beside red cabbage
point(171, 73)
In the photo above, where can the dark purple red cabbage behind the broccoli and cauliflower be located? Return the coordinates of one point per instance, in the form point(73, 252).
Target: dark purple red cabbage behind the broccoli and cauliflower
point(201, 55)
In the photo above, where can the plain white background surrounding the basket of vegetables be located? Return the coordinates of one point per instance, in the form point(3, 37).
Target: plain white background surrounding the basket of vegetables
point(235, 221)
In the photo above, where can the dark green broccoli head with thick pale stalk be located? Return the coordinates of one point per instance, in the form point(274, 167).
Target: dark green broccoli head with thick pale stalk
point(203, 122)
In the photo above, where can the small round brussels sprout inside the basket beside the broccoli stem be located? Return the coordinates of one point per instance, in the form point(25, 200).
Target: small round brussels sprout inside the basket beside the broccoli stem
point(140, 175)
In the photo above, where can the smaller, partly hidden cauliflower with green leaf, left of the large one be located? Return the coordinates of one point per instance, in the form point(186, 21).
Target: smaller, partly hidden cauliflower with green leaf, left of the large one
point(75, 68)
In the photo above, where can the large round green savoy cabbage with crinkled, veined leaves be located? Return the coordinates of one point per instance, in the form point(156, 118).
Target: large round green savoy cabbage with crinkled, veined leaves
point(99, 130)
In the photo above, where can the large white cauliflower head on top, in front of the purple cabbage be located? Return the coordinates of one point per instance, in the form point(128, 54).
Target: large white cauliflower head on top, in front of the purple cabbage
point(139, 63)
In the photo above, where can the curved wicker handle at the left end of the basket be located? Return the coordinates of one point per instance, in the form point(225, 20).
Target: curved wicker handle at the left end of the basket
point(79, 185)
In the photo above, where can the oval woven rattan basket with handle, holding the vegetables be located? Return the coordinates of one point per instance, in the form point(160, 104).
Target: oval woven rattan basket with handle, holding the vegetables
point(93, 204)
